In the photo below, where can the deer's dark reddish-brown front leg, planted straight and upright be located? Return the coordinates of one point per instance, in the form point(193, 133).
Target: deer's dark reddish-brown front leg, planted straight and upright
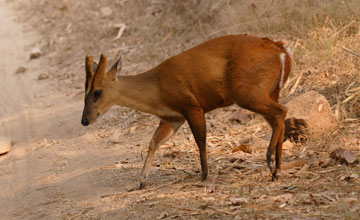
point(197, 125)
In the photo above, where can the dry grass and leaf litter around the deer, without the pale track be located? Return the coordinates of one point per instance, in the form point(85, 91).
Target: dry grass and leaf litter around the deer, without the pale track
point(155, 30)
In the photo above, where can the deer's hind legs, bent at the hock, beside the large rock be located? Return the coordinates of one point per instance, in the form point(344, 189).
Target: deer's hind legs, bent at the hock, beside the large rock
point(275, 114)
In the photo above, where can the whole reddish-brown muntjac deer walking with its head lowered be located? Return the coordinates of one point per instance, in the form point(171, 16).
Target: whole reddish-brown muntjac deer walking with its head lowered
point(241, 69)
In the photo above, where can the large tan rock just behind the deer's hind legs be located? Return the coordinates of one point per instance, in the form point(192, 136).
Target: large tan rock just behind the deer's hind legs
point(312, 110)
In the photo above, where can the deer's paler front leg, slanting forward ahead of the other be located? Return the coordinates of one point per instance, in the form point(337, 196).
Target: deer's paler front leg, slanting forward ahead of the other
point(161, 135)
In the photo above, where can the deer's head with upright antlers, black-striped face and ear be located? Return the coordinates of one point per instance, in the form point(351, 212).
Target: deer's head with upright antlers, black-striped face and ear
point(97, 95)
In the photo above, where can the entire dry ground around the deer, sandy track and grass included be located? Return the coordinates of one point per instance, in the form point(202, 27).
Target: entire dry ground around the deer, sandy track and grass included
point(58, 169)
